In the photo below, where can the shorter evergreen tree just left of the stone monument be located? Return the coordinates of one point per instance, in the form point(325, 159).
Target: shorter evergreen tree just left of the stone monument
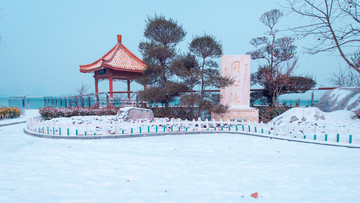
point(202, 73)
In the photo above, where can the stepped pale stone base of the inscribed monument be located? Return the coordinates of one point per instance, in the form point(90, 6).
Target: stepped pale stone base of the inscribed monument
point(247, 114)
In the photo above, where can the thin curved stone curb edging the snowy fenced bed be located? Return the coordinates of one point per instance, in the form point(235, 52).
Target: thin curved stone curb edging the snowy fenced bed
point(92, 137)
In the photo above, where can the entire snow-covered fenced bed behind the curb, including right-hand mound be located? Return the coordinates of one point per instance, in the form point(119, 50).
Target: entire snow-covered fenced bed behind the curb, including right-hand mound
point(306, 124)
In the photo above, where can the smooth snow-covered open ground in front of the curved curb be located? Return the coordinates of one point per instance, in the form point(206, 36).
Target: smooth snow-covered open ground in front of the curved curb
point(186, 168)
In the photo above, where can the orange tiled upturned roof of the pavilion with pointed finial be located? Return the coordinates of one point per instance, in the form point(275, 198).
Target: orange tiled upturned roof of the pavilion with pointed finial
point(118, 58)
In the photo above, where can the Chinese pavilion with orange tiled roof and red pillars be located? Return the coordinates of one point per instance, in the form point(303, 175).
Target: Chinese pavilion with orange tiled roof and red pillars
point(118, 64)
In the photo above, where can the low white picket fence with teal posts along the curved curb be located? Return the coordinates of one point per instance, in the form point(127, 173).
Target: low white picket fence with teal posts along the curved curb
point(327, 133)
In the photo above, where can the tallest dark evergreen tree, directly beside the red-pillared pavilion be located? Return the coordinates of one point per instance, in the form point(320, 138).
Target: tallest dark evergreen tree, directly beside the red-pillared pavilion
point(159, 50)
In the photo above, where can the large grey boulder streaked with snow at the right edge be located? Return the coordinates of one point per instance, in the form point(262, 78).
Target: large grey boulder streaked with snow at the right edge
point(340, 99)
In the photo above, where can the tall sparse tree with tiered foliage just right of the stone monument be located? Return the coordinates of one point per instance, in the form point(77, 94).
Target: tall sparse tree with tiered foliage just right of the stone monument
point(276, 73)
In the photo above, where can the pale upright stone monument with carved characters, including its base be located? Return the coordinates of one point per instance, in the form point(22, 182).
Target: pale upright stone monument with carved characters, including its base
point(237, 96)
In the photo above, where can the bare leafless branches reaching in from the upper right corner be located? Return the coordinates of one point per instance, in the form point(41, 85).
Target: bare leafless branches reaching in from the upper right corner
point(334, 25)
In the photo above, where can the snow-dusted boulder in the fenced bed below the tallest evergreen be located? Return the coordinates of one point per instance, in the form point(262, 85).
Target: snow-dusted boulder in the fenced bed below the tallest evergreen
point(133, 113)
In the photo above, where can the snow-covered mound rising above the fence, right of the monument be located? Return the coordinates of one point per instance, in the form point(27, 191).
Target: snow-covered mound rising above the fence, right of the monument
point(313, 115)
